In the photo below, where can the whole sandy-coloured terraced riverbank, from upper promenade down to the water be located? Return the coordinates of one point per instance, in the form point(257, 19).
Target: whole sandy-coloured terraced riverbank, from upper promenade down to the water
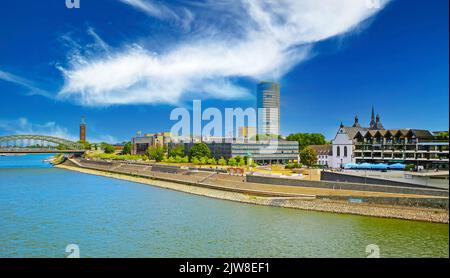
point(424, 207)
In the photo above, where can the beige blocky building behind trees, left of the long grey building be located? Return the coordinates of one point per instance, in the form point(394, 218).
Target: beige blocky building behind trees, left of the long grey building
point(140, 144)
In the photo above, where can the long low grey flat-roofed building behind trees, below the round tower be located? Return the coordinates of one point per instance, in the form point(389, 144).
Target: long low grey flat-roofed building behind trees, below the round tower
point(262, 152)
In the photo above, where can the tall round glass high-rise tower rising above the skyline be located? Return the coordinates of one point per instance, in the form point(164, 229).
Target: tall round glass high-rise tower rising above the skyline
point(268, 104)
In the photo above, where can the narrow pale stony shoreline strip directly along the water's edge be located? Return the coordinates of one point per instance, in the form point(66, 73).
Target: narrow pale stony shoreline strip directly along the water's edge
point(303, 203)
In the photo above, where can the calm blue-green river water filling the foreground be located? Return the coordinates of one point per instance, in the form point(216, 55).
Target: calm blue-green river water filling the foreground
point(44, 209)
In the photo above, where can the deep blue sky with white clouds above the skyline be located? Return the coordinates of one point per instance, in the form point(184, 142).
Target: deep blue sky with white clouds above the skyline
point(126, 64)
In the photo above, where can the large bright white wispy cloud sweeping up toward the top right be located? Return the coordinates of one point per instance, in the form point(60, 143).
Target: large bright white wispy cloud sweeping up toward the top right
point(257, 39)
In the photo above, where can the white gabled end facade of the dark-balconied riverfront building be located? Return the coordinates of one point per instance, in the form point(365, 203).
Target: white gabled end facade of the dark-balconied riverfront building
point(342, 152)
